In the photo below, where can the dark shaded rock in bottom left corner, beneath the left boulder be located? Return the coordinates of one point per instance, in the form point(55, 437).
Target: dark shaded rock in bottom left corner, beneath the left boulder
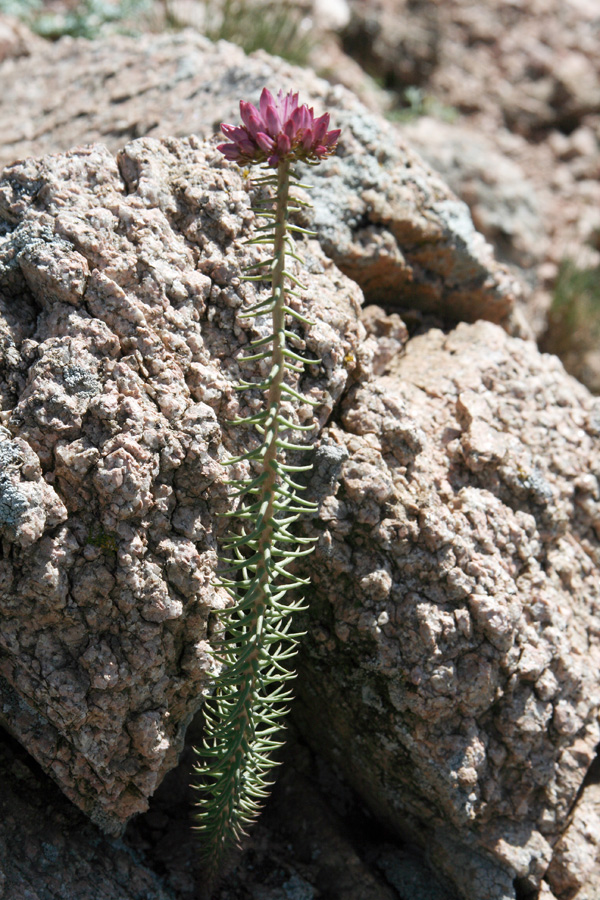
point(49, 850)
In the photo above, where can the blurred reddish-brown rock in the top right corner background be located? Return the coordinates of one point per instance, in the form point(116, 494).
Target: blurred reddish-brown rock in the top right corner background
point(532, 65)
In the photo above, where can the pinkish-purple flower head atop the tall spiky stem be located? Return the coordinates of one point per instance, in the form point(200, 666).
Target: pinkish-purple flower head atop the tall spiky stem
point(279, 130)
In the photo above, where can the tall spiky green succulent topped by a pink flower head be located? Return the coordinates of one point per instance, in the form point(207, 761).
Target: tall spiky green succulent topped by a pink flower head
point(243, 719)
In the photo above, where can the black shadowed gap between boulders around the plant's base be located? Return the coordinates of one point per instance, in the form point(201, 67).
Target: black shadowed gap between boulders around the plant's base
point(314, 832)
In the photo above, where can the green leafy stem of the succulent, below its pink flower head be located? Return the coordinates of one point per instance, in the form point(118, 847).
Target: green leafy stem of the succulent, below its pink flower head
point(240, 725)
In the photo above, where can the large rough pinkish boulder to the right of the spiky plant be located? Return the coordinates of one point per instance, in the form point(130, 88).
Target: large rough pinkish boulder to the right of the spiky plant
point(451, 669)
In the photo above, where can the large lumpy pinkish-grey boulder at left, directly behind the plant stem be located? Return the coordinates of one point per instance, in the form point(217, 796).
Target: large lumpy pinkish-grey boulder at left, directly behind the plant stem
point(119, 292)
